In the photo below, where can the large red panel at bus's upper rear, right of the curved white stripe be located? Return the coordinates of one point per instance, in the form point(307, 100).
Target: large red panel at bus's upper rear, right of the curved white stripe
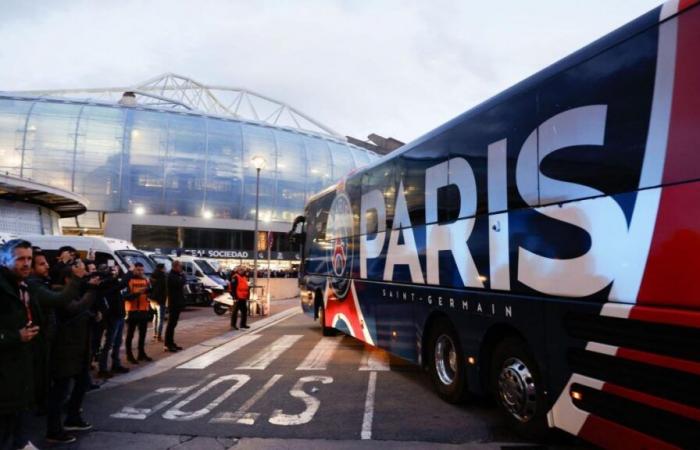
point(671, 273)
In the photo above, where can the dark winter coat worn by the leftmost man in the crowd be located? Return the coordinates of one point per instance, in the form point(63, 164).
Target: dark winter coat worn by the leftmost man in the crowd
point(18, 371)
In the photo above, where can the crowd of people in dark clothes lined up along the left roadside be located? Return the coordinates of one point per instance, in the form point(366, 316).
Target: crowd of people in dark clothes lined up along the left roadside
point(59, 317)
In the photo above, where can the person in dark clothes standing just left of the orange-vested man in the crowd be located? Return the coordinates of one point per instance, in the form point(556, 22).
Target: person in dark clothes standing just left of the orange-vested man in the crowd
point(114, 324)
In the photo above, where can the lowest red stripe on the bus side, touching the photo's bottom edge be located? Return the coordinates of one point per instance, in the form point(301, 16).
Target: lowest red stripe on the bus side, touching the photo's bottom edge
point(607, 434)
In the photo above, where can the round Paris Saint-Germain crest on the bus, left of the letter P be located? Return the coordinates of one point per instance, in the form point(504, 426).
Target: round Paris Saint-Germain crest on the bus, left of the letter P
point(339, 233)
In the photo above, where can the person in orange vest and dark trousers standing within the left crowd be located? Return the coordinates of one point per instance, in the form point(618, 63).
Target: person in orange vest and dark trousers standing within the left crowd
point(136, 302)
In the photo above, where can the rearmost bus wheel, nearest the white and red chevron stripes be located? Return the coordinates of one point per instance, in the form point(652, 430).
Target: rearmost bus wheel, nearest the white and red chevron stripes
point(517, 386)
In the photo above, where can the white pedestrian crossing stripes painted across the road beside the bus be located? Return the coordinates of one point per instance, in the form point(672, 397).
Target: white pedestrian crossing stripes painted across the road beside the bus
point(318, 358)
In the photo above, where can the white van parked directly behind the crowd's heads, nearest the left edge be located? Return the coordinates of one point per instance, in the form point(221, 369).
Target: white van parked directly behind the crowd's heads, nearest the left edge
point(100, 249)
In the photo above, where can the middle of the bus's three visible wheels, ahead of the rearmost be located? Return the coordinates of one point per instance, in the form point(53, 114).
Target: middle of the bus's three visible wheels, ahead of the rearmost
point(446, 363)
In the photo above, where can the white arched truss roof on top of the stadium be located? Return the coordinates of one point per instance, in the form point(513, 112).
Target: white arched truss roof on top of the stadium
point(183, 93)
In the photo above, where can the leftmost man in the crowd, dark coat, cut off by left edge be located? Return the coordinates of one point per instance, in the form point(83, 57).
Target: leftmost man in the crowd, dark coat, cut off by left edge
point(20, 342)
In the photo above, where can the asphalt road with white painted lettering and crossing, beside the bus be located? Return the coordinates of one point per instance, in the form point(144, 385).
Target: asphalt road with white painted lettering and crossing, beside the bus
point(285, 381)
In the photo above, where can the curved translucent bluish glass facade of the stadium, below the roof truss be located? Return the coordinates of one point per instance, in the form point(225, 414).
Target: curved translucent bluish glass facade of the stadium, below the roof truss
point(171, 163)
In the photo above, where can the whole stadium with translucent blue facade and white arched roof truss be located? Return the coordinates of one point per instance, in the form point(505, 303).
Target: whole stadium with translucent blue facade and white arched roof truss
point(167, 163)
